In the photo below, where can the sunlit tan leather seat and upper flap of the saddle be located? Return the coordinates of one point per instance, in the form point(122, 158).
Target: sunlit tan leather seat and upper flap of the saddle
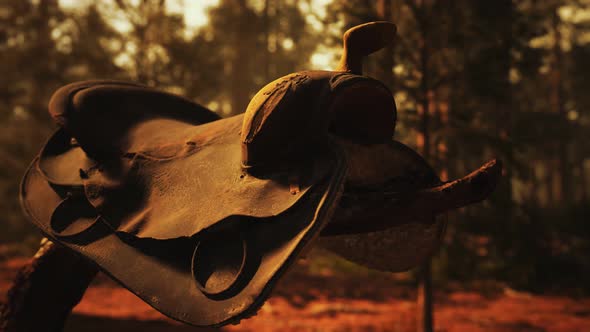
point(166, 194)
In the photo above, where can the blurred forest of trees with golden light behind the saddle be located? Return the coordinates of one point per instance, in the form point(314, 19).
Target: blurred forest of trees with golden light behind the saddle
point(472, 80)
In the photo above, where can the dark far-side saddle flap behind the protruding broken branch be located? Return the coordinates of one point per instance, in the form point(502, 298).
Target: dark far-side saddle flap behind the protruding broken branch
point(407, 242)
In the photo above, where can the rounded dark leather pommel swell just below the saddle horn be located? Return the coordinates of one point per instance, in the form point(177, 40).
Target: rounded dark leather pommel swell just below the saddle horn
point(291, 115)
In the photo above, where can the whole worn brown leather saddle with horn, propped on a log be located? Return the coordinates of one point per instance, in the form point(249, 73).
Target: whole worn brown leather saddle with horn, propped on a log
point(200, 216)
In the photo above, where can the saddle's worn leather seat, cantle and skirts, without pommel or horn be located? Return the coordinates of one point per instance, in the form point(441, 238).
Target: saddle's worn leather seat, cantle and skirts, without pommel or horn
point(164, 196)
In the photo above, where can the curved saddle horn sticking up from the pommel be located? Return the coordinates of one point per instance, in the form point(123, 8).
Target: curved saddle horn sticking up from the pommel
point(362, 40)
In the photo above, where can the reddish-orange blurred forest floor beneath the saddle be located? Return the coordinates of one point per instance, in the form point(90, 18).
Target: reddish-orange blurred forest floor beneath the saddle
point(328, 301)
